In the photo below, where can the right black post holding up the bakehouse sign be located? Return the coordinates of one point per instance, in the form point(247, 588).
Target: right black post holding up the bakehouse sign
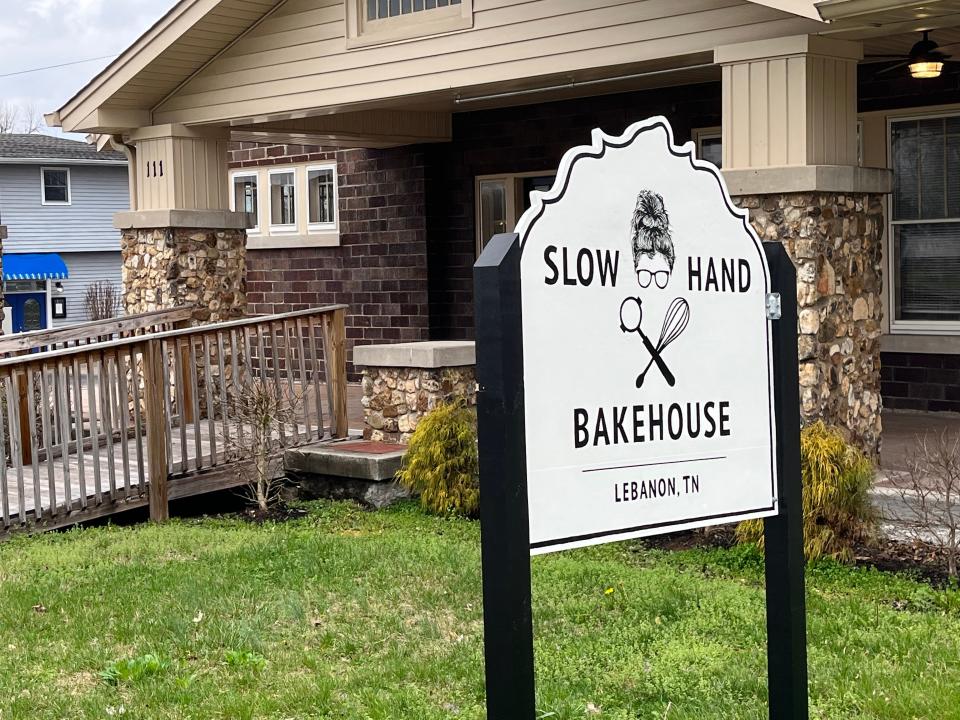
point(783, 534)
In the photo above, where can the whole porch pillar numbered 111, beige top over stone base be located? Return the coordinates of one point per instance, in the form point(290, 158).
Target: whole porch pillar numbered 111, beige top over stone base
point(181, 244)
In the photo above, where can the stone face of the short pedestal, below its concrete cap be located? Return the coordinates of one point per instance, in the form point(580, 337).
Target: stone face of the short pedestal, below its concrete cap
point(394, 399)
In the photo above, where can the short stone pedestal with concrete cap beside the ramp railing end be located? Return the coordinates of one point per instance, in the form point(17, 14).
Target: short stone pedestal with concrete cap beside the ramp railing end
point(402, 382)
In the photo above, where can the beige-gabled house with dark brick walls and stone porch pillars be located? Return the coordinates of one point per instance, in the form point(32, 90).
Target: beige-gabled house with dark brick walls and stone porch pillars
point(385, 142)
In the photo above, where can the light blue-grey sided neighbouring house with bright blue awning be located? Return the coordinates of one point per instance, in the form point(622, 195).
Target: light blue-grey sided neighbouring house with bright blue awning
point(57, 200)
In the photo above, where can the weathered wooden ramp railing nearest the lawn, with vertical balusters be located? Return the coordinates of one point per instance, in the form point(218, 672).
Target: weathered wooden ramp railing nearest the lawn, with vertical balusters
point(149, 418)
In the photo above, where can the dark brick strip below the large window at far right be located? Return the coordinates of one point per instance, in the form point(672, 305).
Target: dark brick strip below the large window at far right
point(920, 381)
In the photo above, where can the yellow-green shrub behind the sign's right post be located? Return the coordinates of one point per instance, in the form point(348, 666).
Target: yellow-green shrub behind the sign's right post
point(836, 503)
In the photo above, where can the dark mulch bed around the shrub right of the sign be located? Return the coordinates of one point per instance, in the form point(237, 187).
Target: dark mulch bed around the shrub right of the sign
point(922, 560)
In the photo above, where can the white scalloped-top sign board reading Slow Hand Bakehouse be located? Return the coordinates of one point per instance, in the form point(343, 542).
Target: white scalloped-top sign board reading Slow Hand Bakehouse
point(647, 356)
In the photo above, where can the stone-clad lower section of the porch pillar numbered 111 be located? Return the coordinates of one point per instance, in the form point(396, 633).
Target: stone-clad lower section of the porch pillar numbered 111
point(172, 267)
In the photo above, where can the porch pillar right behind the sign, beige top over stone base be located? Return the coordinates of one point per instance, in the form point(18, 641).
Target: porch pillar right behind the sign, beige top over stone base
point(790, 159)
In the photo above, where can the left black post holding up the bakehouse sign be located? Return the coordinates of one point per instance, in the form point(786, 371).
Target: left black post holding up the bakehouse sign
point(504, 514)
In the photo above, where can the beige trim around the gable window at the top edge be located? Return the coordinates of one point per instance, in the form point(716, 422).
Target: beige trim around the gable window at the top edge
point(436, 21)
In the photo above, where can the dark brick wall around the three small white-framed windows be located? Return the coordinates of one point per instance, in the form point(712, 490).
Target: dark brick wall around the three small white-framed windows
point(380, 267)
